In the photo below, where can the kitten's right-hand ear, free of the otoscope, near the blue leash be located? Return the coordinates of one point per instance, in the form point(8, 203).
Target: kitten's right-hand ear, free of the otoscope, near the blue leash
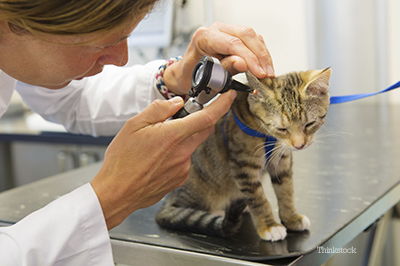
point(318, 81)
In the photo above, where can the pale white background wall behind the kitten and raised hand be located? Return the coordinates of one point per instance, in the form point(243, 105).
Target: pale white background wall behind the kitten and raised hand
point(359, 38)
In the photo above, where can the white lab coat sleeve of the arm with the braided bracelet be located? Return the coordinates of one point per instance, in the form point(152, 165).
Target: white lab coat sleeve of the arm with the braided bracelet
point(98, 105)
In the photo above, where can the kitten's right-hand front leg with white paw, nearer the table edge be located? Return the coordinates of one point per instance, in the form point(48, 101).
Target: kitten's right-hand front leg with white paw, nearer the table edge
point(281, 177)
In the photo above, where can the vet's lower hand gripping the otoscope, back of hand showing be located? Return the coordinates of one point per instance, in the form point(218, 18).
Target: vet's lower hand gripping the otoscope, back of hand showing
point(150, 156)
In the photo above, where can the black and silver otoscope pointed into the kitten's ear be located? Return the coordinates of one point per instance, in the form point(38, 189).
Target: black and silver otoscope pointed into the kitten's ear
point(208, 79)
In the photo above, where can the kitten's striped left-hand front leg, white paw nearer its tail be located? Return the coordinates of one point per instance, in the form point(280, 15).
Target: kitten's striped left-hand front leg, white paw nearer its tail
point(259, 206)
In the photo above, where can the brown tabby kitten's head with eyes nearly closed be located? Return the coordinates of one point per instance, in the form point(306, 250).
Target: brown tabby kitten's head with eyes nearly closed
point(291, 107)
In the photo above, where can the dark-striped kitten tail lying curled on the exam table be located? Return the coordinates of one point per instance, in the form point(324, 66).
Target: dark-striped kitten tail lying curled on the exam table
point(202, 222)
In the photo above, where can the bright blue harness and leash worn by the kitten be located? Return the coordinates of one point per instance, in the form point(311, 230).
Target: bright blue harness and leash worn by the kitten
point(270, 141)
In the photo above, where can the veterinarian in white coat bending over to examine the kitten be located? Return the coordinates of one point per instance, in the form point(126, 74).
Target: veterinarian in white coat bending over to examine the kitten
point(52, 52)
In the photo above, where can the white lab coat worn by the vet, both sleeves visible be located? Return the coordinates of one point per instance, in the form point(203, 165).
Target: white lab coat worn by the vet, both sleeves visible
point(71, 230)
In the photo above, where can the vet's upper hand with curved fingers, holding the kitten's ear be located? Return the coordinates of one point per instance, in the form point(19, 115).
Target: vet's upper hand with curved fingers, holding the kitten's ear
point(238, 48)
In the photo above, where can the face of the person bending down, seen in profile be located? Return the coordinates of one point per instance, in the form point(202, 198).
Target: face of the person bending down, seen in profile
point(55, 63)
